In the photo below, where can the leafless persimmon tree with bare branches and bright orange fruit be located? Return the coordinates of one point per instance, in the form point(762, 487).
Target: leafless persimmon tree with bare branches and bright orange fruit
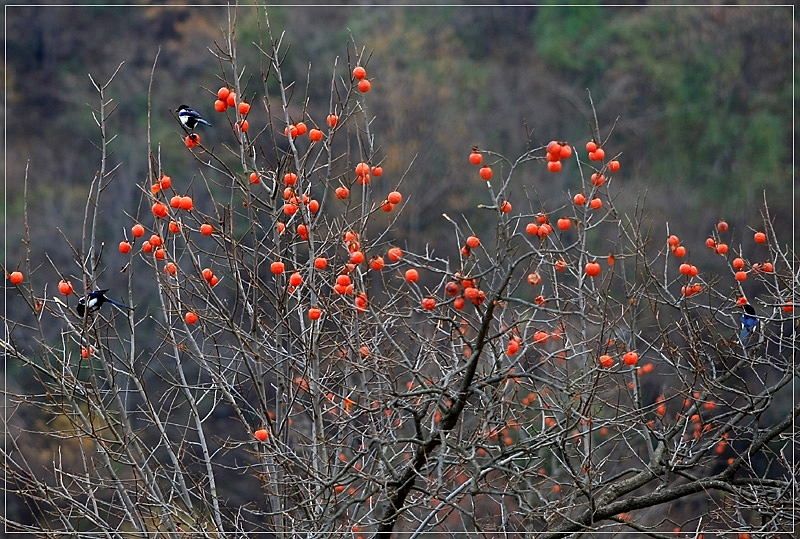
point(289, 366)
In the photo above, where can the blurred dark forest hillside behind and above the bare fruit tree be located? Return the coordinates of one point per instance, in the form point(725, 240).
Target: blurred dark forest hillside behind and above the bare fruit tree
point(700, 99)
